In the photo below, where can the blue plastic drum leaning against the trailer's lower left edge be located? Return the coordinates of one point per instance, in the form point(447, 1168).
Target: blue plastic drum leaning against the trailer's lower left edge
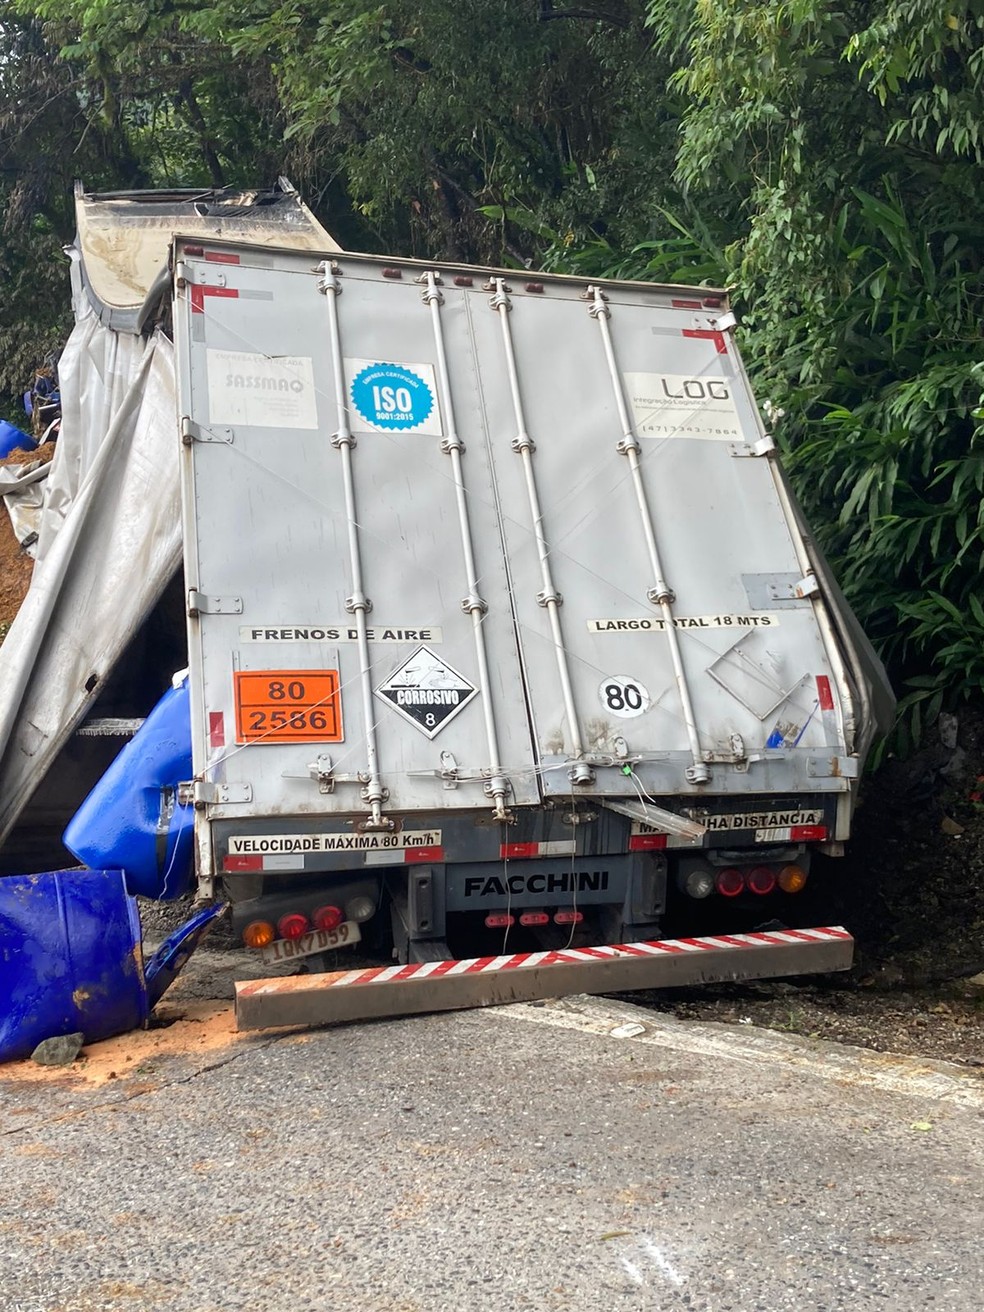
point(132, 819)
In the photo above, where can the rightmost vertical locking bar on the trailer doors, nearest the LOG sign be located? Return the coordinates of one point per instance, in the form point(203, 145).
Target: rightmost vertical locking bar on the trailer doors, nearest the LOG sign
point(661, 594)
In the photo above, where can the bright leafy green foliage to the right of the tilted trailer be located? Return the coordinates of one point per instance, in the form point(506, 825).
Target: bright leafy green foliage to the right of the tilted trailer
point(853, 140)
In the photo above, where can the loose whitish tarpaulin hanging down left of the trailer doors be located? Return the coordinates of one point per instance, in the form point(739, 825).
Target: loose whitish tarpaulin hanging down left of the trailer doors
point(110, 544)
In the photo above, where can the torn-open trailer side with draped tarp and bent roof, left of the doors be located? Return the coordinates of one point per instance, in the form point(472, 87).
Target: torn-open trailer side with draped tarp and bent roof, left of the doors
point(103, 628)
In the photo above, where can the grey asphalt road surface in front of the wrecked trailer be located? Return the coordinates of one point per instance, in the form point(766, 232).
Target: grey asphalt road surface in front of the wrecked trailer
point(582, 1154)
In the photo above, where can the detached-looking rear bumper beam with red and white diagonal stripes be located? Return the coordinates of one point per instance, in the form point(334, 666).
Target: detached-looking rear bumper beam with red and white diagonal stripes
point(523, 977)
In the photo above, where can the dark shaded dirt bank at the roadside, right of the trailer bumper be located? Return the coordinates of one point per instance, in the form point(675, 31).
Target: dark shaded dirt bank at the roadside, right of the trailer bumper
point(912, 893)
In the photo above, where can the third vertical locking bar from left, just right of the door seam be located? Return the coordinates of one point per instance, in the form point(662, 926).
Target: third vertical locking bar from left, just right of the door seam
point(549, 598)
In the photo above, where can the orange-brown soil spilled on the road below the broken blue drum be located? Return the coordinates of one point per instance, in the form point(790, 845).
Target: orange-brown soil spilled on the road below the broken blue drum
point(187, 1032)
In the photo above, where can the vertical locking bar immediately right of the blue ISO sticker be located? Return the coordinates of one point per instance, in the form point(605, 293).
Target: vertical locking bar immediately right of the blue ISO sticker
point(473, 604)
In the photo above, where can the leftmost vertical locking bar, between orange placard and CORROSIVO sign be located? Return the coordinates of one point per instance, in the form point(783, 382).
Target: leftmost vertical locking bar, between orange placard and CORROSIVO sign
point(358, 604)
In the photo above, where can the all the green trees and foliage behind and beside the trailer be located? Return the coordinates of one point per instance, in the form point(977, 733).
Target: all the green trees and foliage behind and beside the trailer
point(825, 161)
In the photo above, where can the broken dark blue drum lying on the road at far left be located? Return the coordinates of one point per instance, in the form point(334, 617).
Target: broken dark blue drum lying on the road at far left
point(70, 960)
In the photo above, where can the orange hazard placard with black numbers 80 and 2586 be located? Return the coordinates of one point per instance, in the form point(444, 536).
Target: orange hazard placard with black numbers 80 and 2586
point(288, 707)
